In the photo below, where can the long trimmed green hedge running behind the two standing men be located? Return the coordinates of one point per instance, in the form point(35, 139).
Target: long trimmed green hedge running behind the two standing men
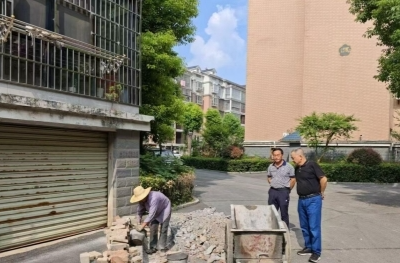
point(336, 172)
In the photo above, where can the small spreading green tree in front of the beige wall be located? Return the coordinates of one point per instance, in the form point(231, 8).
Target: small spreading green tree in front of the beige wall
point(323, 128)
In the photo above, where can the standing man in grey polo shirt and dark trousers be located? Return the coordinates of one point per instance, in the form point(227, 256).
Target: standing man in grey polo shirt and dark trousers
point(281, 178)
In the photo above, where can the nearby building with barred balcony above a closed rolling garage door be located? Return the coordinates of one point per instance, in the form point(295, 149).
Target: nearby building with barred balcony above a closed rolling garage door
point(69, 116)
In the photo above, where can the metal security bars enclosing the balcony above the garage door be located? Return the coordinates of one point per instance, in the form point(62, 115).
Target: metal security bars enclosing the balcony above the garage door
point(81, 62)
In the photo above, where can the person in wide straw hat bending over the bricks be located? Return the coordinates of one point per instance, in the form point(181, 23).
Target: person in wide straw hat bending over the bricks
point(159, 208)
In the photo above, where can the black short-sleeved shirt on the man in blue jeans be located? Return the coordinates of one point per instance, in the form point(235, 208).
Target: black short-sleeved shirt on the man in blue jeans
point(307, 178)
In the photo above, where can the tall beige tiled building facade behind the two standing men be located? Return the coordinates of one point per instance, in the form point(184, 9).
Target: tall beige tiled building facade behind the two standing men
point(306, 56)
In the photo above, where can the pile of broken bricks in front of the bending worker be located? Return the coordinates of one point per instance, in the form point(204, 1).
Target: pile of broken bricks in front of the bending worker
point(119, 250)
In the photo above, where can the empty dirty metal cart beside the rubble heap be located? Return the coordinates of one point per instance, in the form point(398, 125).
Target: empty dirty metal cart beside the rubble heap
point(256, 234)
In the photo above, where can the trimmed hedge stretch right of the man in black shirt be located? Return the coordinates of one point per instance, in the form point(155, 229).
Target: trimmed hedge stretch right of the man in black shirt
point(349, 172)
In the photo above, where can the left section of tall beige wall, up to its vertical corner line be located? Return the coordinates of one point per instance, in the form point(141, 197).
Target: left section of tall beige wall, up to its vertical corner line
point(274, 67)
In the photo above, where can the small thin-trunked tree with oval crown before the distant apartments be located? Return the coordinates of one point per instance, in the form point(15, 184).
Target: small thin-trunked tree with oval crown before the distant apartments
point(192, 121)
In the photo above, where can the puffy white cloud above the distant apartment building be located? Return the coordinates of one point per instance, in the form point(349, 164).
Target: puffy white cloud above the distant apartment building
point(224, 44)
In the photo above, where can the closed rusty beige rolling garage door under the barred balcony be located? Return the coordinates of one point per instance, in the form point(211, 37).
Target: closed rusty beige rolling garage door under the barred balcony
point(53, 183)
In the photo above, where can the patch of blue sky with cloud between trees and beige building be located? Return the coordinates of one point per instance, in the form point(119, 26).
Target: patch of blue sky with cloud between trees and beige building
point(221, 39)
